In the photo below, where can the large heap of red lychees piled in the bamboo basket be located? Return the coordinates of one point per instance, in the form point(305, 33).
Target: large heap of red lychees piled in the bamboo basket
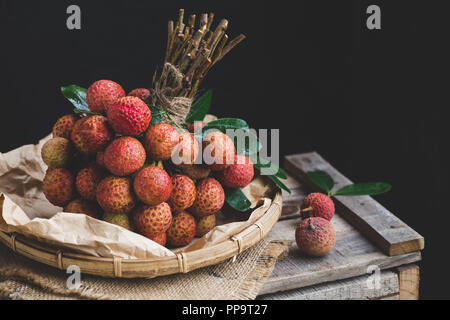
point(111, 165)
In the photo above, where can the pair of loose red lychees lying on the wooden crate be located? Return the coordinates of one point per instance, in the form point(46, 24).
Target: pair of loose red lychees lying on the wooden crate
point(315, 235)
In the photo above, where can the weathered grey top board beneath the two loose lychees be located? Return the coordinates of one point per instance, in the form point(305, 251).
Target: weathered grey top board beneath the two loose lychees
point(354, 255)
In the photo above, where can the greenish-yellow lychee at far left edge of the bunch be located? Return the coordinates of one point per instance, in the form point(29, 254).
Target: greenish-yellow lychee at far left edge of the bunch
point(57, 152)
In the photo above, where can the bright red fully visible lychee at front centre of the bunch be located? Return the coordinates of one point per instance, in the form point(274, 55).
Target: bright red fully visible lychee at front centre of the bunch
point(152, 185)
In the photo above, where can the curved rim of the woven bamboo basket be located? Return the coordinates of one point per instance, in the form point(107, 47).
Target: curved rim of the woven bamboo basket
point(146, 268)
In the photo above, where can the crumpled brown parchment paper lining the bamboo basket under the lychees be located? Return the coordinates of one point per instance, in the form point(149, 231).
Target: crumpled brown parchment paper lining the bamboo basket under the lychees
point(27, 211)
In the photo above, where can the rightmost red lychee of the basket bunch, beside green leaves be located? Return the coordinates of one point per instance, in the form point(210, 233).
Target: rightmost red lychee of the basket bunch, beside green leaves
point(239, 174)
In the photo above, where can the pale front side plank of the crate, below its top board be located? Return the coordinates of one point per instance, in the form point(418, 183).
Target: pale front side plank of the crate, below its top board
point(358, 288)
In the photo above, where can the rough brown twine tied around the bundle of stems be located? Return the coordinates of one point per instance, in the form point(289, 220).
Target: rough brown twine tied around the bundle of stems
point(164, 95)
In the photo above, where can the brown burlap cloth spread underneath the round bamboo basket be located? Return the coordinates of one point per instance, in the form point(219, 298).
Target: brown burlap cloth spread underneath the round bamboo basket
point(24, 279)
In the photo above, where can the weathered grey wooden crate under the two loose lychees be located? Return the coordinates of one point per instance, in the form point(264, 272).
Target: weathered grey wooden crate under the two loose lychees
point(374, 254)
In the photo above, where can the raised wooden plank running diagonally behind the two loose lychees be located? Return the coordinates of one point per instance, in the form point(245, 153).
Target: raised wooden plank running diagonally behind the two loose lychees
point(388, 232)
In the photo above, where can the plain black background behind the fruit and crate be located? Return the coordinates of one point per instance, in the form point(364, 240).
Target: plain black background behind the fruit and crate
point(371, 102)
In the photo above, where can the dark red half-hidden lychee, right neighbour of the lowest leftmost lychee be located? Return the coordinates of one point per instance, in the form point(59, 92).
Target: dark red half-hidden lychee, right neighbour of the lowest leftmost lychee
point(87, 181)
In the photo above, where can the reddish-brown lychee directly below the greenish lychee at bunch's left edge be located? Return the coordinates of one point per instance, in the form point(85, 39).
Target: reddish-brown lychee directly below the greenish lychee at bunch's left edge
point(58, 186)
